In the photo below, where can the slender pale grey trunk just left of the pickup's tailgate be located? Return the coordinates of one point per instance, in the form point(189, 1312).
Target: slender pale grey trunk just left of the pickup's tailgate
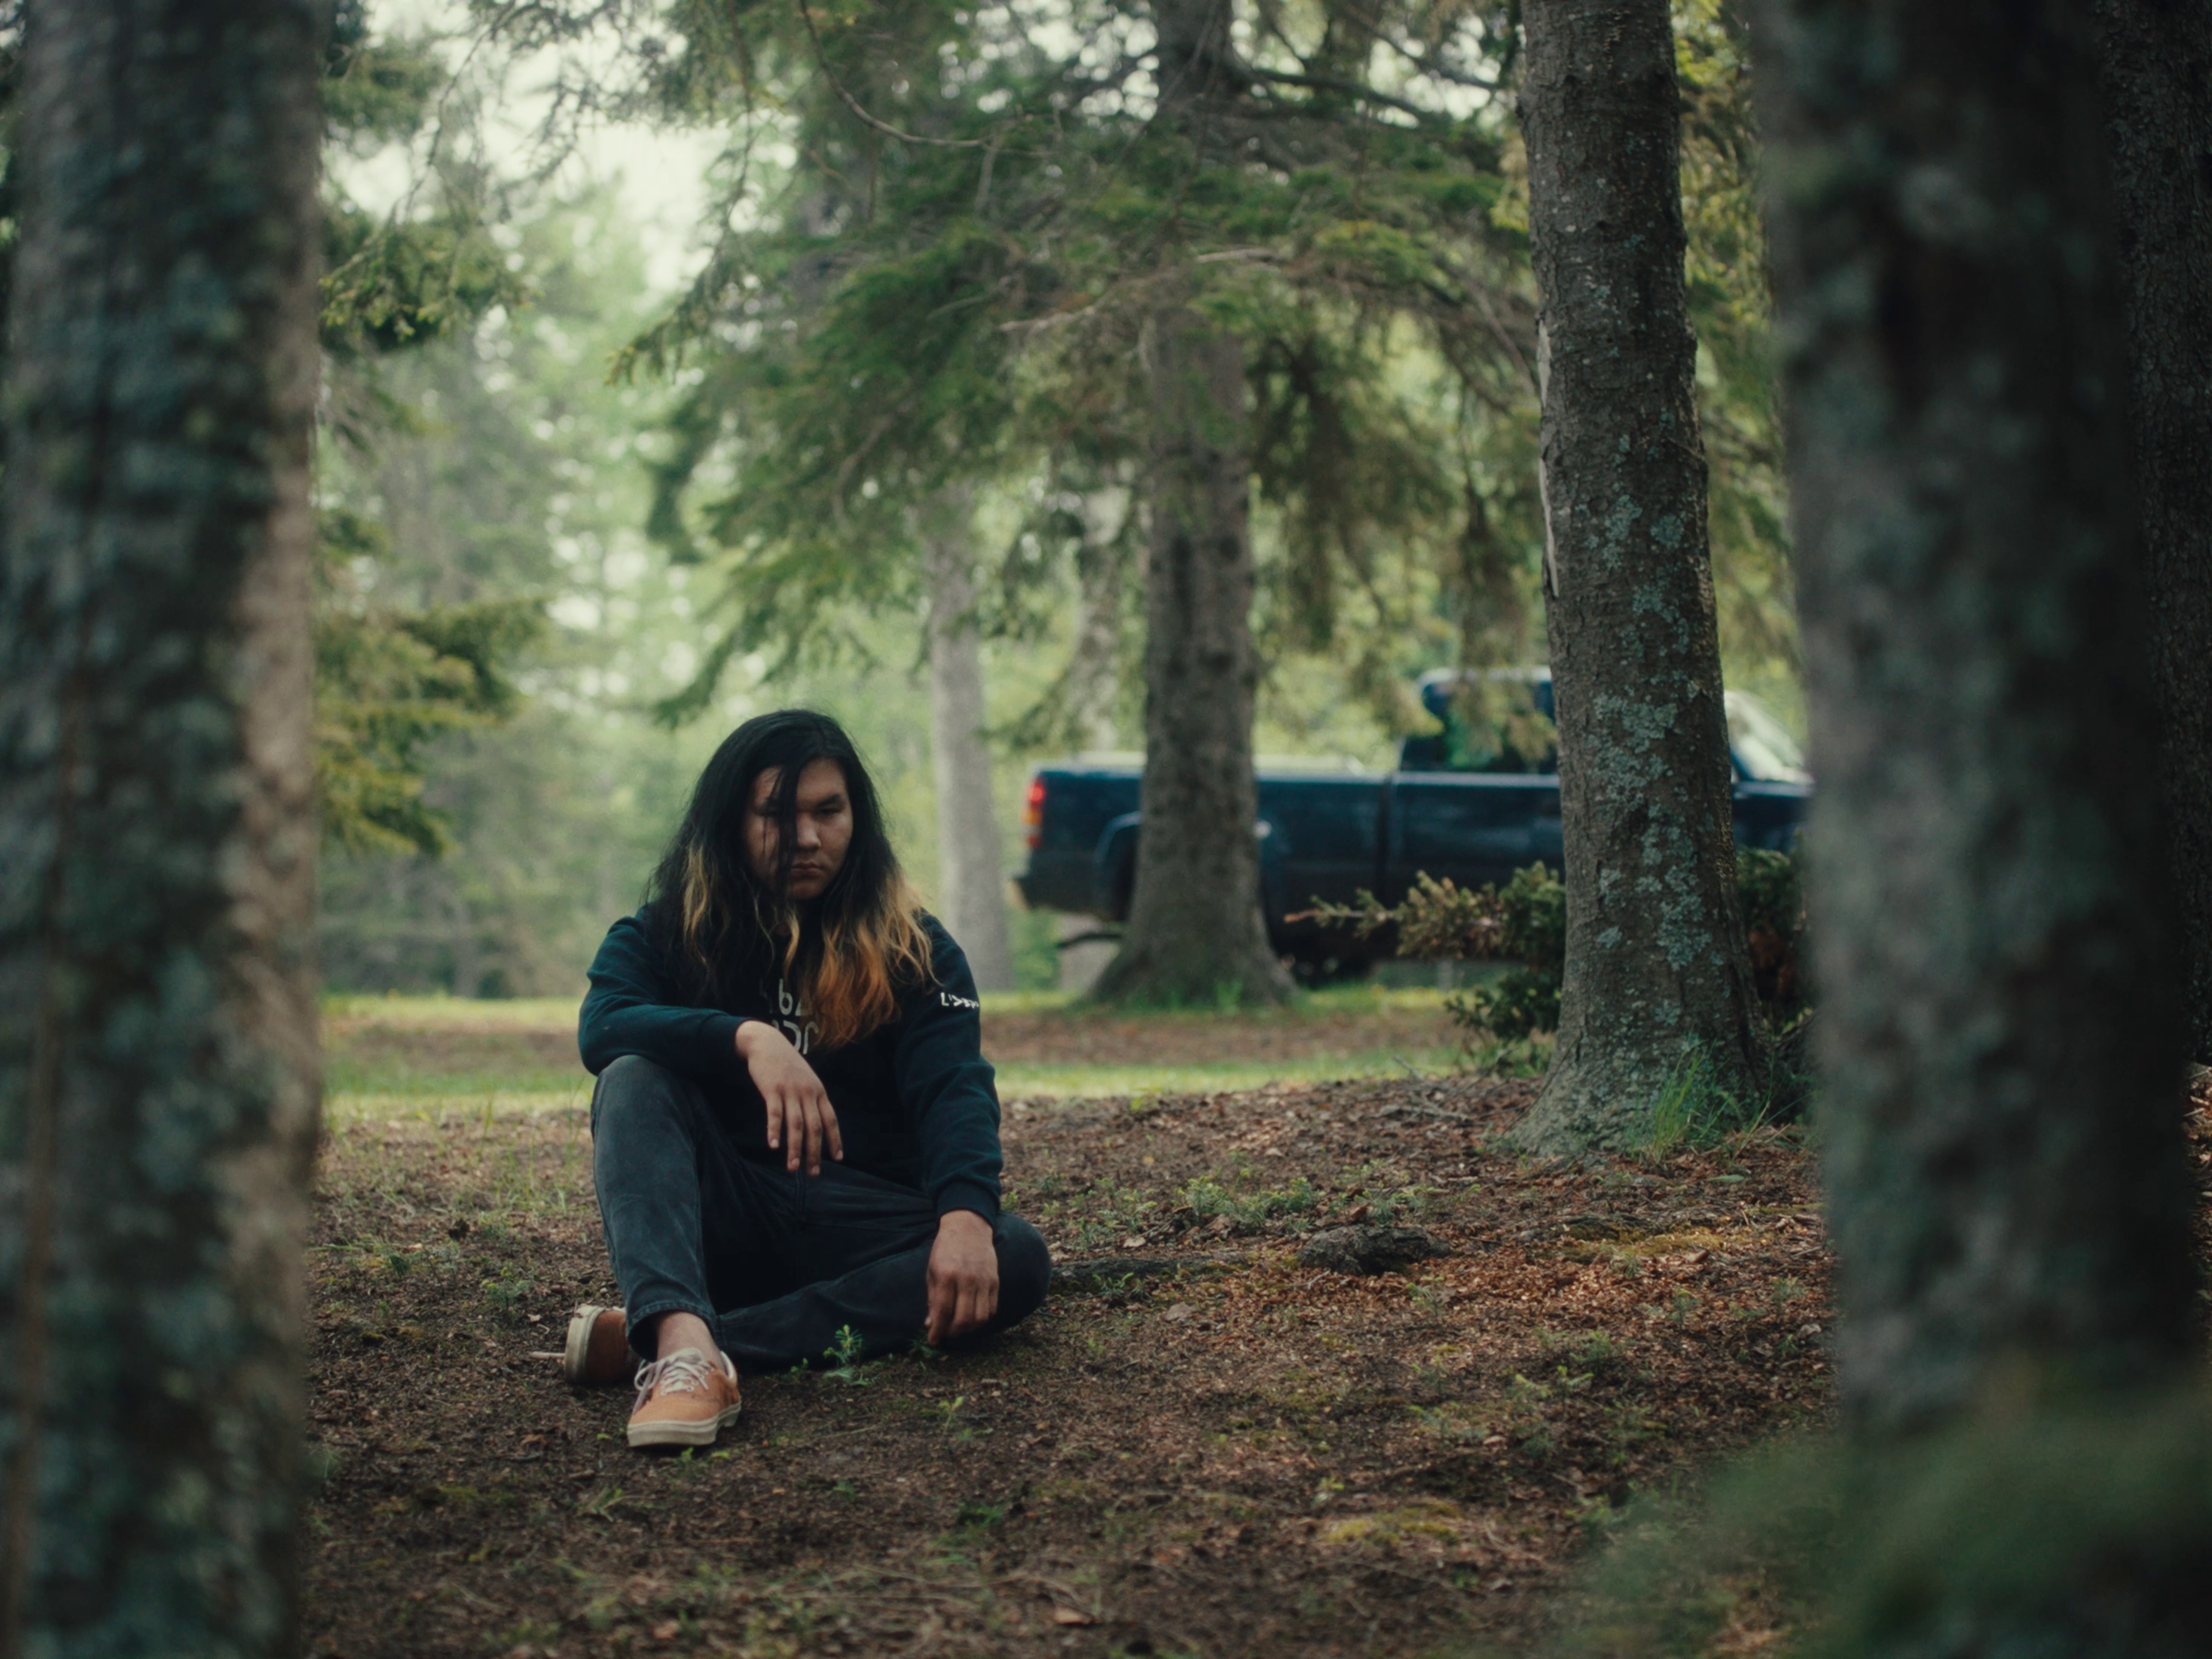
point(972, 888)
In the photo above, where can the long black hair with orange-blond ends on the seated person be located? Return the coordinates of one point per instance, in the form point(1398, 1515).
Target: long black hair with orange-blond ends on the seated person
point(848, 952)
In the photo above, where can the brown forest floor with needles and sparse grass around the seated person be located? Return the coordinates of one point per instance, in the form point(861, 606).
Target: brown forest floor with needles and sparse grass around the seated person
point(1233, 1454)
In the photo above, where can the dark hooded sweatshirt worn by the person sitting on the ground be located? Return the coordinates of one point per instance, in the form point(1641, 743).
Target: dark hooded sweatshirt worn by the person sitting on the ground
point(915, 1103)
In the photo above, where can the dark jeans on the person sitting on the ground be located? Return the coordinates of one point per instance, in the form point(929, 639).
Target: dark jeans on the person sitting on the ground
point(778, 1264)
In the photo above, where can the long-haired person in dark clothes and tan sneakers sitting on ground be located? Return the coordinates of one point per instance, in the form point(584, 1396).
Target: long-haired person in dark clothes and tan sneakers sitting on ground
point(795, 1131)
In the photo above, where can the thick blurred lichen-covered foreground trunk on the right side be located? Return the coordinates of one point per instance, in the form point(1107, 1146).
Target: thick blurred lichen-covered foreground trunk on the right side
point(1999, 1021)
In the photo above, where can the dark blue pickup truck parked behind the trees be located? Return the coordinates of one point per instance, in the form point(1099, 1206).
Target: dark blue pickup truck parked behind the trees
point(1474, 802)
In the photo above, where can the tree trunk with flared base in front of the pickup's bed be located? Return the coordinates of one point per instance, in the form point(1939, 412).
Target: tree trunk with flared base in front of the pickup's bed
point(1196, 930)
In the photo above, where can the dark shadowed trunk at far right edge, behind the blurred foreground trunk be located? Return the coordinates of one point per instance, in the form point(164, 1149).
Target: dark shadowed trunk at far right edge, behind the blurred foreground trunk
point(2158, 79)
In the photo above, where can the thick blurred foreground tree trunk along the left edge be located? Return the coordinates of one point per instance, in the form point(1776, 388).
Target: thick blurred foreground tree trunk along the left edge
point(156, 806)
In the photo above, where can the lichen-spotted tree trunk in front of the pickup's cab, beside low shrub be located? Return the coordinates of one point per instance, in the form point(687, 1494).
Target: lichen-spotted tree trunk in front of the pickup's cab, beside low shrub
point(1660, 994)
